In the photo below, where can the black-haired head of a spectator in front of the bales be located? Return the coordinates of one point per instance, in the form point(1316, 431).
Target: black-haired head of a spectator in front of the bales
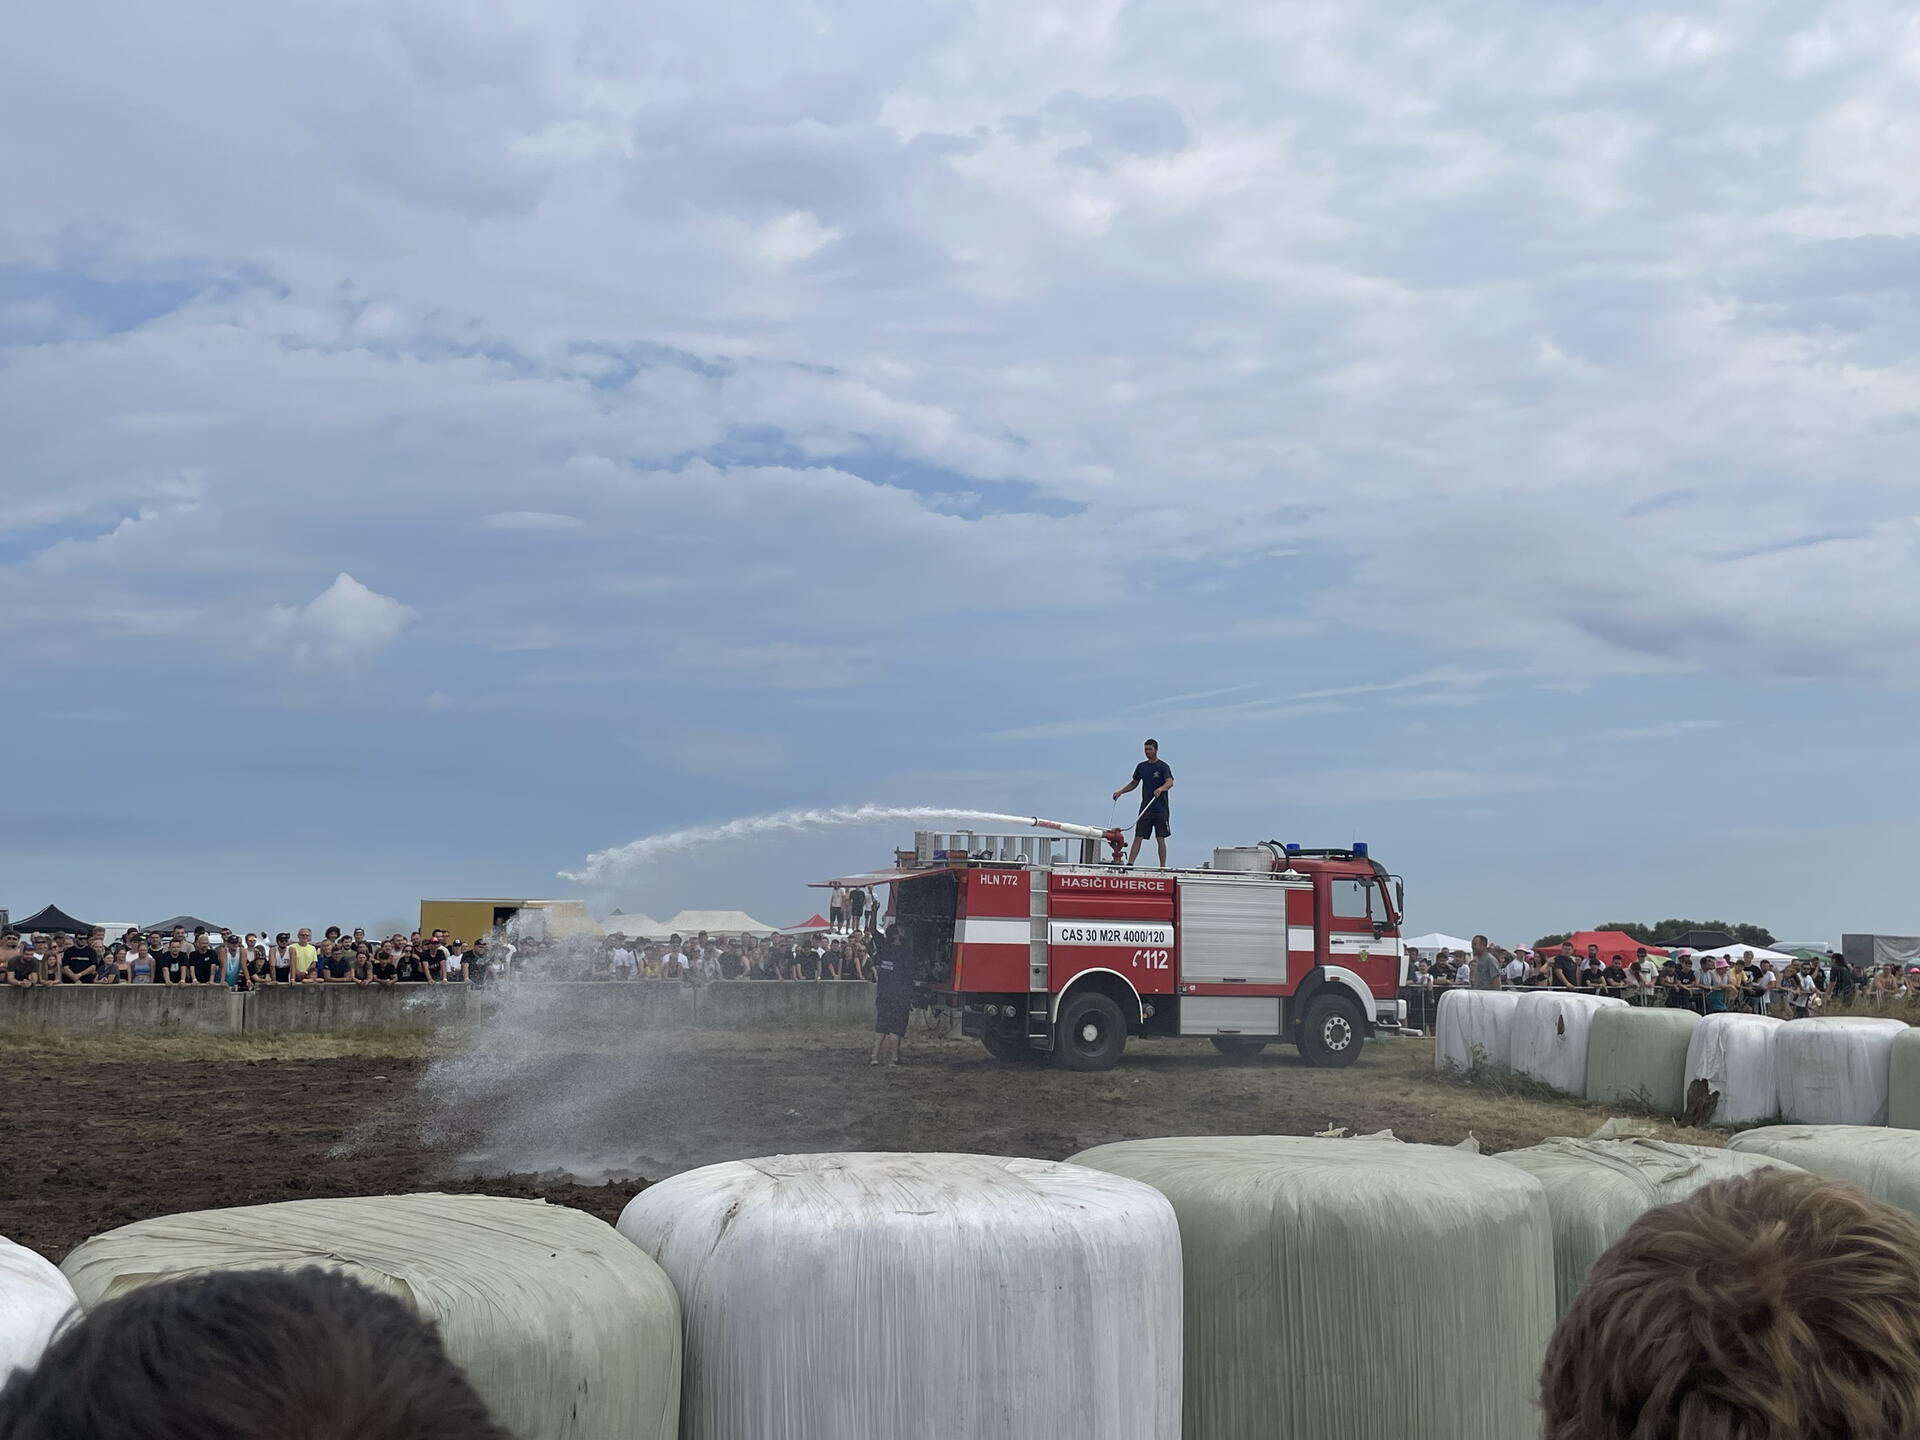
point(247, 1356)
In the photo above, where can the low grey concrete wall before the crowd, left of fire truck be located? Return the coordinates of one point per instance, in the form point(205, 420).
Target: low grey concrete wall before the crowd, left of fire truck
point(341, 1009)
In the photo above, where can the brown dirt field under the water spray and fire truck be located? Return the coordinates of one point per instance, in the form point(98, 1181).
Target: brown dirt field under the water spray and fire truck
point(105, 1134)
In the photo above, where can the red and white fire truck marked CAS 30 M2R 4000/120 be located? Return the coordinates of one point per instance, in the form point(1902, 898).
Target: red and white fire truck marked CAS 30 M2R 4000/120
point(1047, 949)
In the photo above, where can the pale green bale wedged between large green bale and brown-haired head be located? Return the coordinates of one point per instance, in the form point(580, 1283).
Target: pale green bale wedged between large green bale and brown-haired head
point(1596, 1189)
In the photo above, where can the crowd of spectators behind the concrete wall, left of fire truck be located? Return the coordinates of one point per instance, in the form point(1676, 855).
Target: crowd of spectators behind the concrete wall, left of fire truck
point(252, 961)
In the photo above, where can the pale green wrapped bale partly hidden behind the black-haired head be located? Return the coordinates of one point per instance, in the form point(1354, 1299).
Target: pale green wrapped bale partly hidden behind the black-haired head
point(564, 1328)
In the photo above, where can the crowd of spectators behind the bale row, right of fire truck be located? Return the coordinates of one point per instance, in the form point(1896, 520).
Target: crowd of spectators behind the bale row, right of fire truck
point(1788, 990)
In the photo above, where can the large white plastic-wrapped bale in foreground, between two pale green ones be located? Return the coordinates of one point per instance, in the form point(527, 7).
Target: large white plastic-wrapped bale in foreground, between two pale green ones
point(921, 1297)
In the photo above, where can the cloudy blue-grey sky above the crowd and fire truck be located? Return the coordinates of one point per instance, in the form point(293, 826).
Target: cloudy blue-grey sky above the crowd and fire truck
point(444, 441)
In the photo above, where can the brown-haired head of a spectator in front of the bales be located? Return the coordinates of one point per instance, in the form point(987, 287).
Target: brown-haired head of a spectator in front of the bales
point(1777, 1307)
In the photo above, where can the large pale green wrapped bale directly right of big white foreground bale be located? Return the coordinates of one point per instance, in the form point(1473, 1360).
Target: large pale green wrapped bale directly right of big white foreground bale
point(1355, 1289)
